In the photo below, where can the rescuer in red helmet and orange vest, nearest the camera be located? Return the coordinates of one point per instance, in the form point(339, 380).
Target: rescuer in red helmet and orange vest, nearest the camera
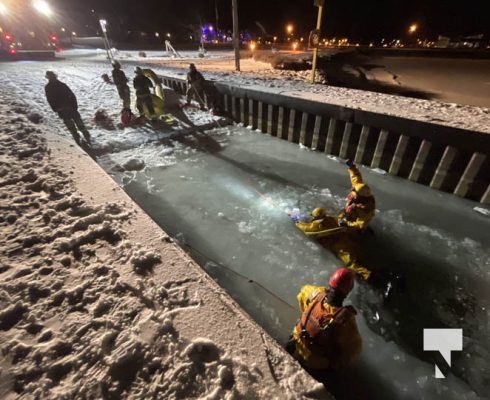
point(326, 335)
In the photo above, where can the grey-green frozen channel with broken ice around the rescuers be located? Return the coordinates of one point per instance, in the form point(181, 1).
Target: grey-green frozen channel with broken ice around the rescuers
point(222, 194)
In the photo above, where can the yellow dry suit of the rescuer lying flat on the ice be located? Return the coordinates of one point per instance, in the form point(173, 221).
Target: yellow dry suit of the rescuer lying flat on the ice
point(342, 244)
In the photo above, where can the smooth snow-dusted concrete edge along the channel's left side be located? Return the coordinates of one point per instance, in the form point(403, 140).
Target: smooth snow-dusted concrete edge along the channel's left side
point(242, 338)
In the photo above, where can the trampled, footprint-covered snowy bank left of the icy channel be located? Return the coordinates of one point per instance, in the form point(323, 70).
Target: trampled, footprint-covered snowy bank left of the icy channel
point(97, 302)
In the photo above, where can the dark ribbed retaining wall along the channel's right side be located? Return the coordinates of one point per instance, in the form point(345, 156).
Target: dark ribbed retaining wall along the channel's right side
point(442, 157)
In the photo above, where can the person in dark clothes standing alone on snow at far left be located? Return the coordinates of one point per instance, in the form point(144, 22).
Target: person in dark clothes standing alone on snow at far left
point(63, 101)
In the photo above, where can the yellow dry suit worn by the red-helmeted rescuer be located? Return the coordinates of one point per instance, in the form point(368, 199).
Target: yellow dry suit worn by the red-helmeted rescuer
point(345, 339)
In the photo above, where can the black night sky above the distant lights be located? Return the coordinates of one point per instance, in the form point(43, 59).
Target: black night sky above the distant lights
point(355, 19)
